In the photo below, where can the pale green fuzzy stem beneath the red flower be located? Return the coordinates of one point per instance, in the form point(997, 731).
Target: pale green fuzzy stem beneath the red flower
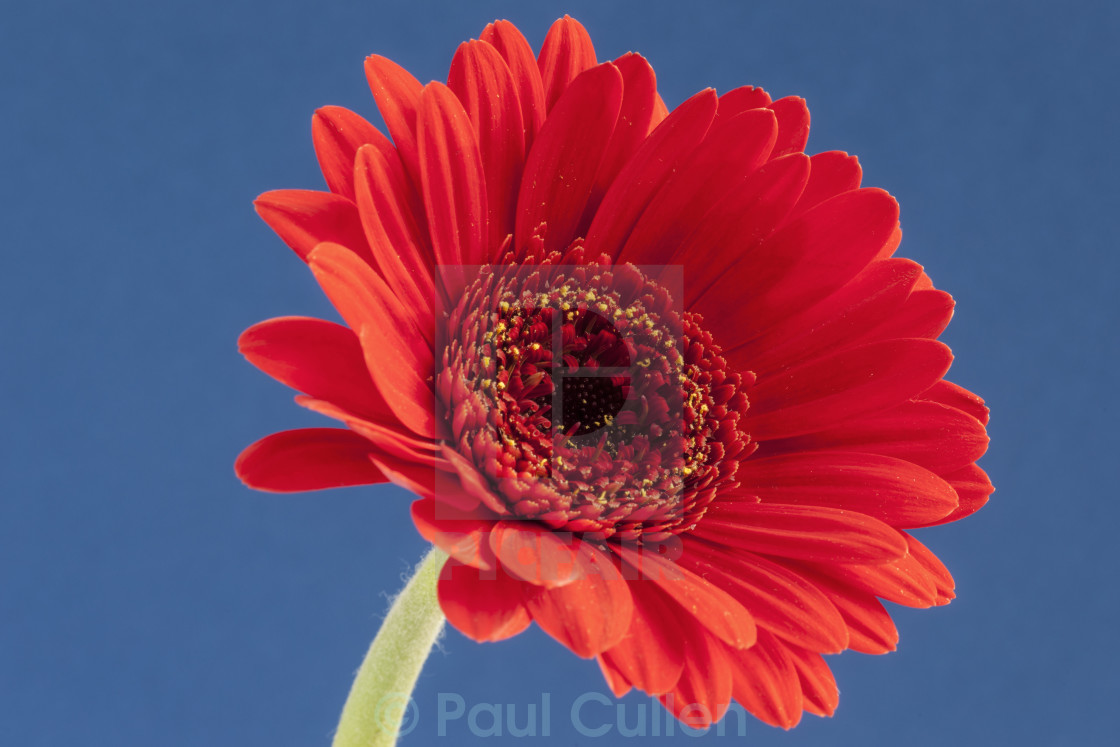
point(380, 697)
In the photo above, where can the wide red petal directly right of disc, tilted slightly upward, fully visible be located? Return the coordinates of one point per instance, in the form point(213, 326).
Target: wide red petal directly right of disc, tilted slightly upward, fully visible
point(838, 388)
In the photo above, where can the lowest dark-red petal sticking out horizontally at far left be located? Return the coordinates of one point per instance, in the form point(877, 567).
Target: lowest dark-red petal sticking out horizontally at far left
point(309, 460)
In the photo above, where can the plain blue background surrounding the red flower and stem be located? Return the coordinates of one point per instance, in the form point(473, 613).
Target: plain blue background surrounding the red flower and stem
point(148, 599)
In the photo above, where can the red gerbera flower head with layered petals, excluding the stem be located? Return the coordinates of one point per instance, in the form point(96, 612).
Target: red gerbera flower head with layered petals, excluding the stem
point(658, 378)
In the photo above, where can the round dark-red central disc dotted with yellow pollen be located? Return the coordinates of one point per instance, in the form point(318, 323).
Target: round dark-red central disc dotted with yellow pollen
point(589, 401)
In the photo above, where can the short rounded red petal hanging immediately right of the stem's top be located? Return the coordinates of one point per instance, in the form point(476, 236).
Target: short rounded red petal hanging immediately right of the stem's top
point(484, 605)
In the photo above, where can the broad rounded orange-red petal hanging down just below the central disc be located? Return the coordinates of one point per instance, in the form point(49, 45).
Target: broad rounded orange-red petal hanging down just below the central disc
point(590, 615)
